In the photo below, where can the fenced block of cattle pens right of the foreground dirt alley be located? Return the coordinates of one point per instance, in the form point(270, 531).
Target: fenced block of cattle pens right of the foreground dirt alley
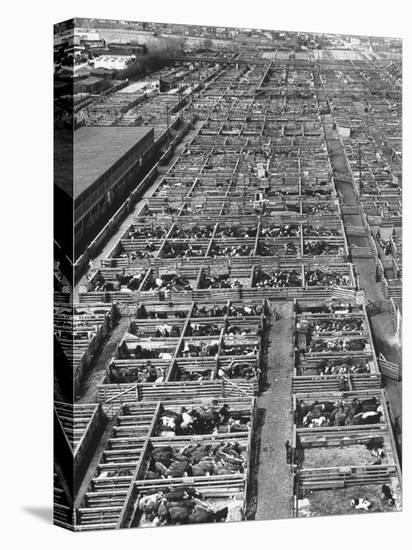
point(333, 344)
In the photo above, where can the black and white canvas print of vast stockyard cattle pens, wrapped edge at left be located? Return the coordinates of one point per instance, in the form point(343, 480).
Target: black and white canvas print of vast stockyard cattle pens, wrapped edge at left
point(227, 274)
